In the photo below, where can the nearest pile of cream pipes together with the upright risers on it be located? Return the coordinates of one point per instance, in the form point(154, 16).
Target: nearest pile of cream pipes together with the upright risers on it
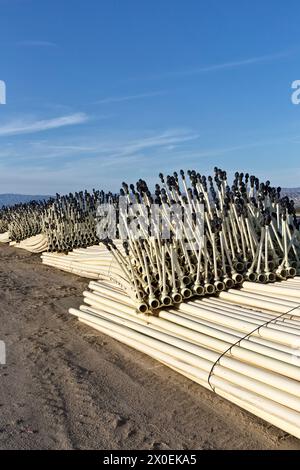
point(217, 300)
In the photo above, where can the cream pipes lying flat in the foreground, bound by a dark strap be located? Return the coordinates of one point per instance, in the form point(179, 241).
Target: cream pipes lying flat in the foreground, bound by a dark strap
point(260, 373)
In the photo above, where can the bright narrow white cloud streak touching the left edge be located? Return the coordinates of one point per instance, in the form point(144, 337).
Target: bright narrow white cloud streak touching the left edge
point(23, 126)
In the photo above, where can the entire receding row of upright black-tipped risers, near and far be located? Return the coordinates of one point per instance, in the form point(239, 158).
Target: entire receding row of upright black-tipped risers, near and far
point(189, 237)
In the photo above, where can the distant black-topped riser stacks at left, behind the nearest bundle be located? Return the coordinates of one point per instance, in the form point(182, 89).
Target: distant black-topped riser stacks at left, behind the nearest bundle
point(60, 224)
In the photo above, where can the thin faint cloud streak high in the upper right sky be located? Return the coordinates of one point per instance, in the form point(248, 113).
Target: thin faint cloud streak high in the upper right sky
point(223, 65)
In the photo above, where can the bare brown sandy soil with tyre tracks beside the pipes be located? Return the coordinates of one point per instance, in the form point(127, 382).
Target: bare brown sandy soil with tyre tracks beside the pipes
point(66, 386)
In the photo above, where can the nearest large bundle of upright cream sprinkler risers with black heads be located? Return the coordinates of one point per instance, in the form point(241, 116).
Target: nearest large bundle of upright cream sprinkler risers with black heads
point(218, 236)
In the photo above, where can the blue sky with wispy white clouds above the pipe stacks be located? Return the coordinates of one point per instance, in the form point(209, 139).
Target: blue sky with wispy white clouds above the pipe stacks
point(101, 91)
